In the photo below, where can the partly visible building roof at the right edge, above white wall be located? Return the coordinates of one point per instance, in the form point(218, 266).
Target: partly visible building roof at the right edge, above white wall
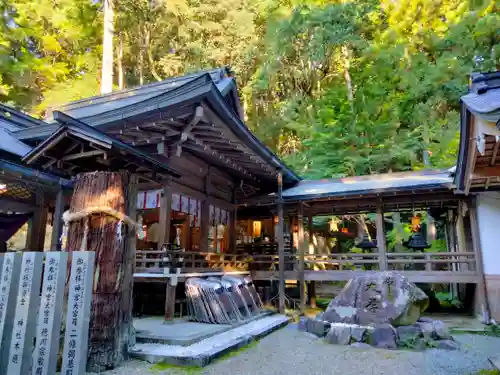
point(477, 166)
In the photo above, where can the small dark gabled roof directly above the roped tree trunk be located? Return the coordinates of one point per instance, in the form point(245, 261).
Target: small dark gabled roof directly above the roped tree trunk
point(76, 147)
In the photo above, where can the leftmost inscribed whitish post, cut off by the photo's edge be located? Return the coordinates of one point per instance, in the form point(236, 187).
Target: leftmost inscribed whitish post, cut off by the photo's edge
point(9, 282)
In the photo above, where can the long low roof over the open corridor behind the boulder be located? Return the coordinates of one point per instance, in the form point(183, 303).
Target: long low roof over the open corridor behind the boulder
point(398, 191)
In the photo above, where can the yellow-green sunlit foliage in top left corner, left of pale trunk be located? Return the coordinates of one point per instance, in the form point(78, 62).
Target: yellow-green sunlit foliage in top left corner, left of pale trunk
point(46, 45)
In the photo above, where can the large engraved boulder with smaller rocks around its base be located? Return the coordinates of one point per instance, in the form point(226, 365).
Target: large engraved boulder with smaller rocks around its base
point(380, 309)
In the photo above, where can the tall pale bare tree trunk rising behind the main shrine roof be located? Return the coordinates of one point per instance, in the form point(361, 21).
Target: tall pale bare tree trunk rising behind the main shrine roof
point(107, 48)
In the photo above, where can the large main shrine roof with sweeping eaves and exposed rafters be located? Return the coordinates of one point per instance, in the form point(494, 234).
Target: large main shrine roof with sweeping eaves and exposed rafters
point(197, 115)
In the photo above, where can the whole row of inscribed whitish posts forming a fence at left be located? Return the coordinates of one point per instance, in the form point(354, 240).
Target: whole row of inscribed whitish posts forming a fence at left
point(32, 300)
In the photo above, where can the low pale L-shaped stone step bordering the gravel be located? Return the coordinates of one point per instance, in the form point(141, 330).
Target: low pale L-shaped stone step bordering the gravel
point(205, 351)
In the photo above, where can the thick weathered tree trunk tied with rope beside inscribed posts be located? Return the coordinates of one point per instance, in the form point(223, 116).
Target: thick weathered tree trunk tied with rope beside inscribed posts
point(114, 244)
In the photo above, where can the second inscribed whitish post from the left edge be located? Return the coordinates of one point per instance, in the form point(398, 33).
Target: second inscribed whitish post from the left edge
point(28, 300)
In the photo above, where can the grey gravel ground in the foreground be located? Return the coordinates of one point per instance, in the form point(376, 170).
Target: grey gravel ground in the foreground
point(289, 351)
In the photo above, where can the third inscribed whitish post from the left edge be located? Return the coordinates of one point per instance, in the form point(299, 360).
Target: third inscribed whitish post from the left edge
point(49, 317)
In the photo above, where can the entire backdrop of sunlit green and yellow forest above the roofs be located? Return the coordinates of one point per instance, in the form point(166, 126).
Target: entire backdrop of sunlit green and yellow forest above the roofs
point(336, 88)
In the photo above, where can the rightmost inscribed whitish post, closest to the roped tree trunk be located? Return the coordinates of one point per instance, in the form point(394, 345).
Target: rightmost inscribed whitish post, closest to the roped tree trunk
point(78, 314)
